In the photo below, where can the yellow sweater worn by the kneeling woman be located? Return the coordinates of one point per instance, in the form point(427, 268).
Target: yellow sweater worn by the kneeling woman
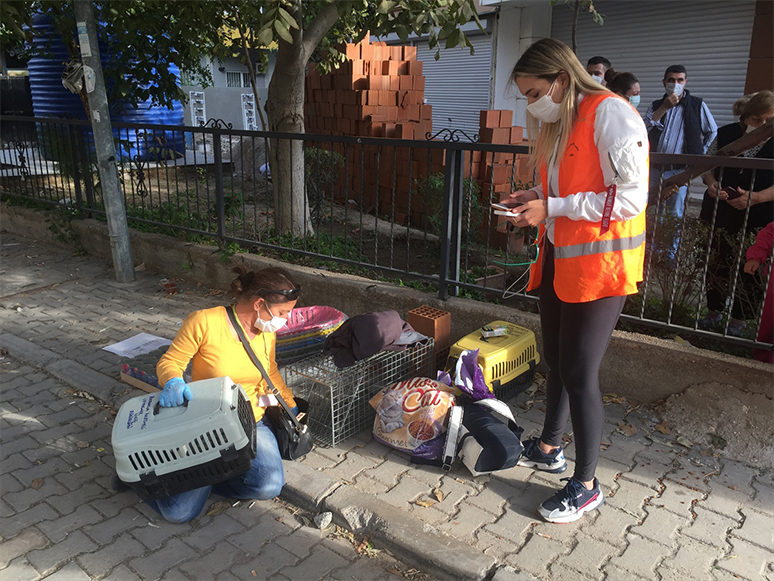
point(205, 339)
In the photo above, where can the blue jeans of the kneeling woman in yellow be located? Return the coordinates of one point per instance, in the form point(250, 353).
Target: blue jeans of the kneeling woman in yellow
point(263, 481)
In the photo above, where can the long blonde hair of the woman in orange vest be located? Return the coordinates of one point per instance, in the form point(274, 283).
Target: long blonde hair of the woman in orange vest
point(546, 59)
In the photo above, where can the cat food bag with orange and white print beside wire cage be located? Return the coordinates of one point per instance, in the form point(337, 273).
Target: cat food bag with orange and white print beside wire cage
point(411, 413)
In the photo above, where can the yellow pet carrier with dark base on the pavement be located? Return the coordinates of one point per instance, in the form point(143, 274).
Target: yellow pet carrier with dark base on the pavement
point(508, 361)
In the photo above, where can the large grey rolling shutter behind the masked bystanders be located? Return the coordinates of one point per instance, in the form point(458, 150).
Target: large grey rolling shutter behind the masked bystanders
point(710, 38)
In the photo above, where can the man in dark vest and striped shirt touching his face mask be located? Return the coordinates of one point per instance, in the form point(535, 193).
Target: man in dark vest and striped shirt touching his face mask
point(677, 123)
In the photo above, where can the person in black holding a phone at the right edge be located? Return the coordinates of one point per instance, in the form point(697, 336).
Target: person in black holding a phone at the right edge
point(730, 196)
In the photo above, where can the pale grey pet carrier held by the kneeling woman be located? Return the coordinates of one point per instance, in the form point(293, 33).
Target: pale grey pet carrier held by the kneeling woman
point(162, 451)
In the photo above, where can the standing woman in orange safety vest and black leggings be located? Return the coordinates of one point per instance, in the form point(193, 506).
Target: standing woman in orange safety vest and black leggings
point(592, 154)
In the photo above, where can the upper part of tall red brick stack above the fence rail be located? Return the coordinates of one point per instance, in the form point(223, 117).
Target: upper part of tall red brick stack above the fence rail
point(377, 92)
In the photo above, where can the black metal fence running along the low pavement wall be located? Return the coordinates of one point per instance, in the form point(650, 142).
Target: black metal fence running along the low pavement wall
point(416, 212)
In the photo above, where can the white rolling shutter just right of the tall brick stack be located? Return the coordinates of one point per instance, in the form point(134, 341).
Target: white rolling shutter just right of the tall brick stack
point(458, 84)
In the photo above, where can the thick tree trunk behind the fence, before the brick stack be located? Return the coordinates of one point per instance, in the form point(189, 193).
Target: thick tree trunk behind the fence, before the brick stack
point(285, 109)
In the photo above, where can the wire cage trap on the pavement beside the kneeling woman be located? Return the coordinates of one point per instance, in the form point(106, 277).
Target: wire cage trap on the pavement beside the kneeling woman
point(338, 398)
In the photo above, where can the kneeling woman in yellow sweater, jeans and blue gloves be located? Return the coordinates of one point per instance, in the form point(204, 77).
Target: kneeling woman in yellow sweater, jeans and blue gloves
point(209, 341)
